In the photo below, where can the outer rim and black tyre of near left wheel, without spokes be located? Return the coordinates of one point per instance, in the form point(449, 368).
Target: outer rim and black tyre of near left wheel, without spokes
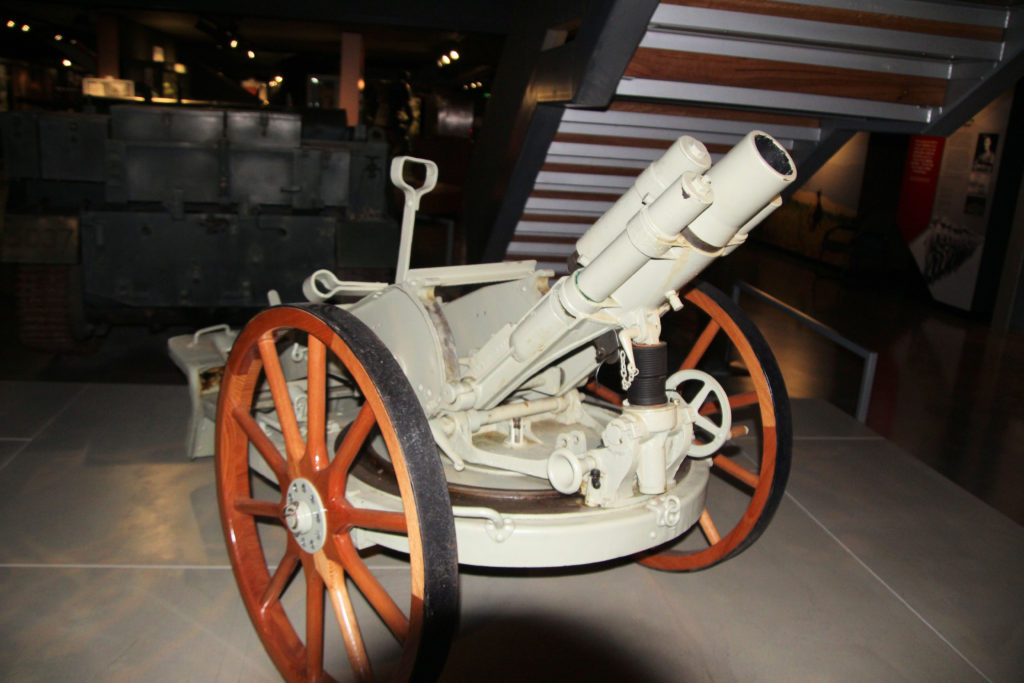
point(436, 621)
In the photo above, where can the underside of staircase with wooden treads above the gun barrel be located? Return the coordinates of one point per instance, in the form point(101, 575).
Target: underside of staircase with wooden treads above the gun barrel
point(812, 73)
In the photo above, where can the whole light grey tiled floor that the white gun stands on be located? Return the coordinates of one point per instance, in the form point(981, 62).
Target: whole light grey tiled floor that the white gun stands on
point(112, 568)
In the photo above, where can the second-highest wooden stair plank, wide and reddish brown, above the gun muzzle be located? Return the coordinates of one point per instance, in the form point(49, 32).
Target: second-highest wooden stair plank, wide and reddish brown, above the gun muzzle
point(786, 77)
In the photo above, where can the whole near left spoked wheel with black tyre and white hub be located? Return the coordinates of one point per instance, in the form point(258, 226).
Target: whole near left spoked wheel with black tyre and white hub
point(305, 390)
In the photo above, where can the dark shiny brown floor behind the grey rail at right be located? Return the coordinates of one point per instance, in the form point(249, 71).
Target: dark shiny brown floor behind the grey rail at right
point(948, 389)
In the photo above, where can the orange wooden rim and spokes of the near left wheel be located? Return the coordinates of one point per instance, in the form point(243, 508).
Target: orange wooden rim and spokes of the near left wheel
point(262, 590)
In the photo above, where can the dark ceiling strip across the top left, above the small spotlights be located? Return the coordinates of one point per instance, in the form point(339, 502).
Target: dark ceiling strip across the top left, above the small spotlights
point(399, 35)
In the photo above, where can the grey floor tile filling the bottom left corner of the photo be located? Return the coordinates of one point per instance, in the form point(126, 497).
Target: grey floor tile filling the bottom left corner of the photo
point(96, 624)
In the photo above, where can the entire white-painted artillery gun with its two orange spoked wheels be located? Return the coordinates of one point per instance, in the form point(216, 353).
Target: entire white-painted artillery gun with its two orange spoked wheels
point(454, 417)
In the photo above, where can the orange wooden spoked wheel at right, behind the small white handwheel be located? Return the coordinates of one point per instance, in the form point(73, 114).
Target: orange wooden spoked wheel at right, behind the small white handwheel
point(711, 334)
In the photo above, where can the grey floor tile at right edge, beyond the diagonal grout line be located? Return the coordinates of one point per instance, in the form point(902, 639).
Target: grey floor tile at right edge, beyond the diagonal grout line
point(956, 562)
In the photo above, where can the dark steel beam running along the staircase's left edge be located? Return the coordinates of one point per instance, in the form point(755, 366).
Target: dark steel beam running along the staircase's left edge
point(518, 132)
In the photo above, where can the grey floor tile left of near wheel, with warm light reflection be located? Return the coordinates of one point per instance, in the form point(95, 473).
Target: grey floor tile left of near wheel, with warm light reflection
point(108, 482)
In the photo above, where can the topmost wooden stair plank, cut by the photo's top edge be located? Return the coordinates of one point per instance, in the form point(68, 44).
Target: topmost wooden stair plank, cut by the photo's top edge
point(850, 18)
